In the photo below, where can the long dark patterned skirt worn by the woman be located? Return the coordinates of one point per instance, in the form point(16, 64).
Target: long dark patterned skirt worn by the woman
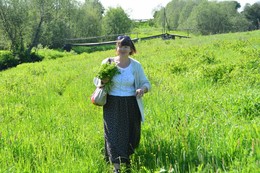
point(122, 127)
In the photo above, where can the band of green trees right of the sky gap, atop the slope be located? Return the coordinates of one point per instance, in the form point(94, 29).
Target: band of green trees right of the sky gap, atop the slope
point(208, 17)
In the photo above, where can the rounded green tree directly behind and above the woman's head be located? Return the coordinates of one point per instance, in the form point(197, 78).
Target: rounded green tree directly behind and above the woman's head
point(116, 21)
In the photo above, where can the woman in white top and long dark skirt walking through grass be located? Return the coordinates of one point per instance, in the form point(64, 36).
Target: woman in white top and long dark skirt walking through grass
point(123, 111)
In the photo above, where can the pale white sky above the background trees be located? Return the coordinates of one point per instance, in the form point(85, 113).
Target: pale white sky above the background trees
point(143, 9)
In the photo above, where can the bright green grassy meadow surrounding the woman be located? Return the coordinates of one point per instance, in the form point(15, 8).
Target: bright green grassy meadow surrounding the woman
point(202, 114)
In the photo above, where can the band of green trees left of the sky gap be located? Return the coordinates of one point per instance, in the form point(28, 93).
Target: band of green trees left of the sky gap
point(24, 24)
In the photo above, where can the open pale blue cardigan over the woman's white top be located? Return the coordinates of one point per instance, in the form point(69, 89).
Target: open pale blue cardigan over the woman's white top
point(140, 81)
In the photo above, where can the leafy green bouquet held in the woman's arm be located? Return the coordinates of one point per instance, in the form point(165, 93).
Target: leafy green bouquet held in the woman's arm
point(106, 72)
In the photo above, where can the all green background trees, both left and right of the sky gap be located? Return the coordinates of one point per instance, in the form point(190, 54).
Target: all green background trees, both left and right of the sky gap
point(24, 24)
